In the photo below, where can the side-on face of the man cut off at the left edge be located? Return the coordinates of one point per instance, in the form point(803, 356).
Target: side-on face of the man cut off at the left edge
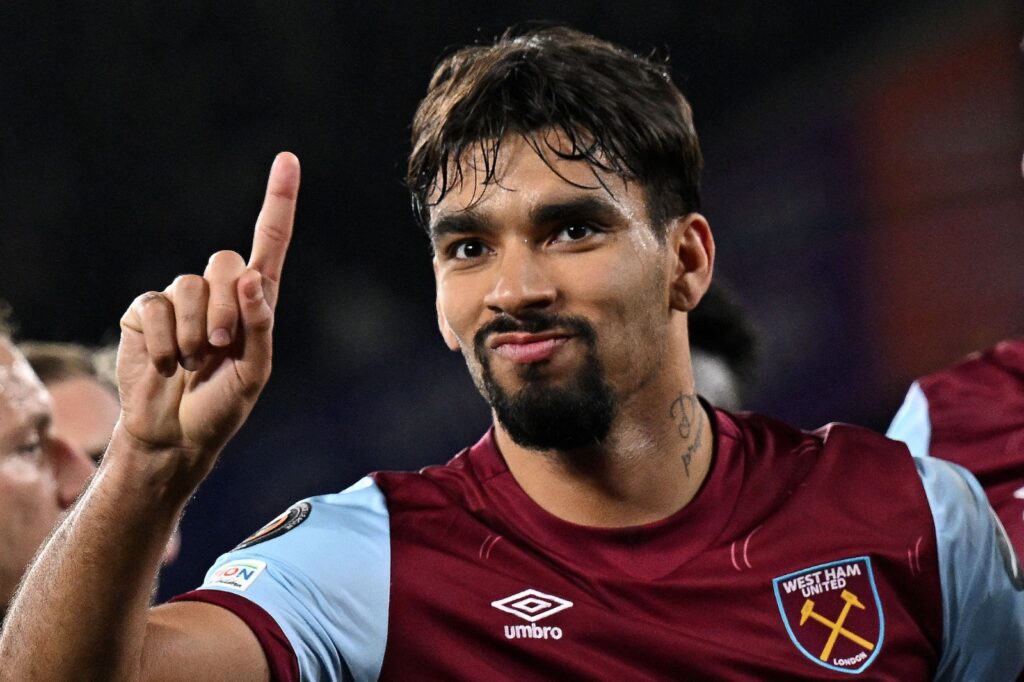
point(40, 477)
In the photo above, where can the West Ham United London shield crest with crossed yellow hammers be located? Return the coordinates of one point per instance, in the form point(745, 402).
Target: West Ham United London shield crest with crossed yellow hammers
point(833, 614)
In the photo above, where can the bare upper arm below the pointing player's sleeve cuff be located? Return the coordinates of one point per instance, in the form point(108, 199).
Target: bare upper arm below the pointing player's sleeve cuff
point(194, 642)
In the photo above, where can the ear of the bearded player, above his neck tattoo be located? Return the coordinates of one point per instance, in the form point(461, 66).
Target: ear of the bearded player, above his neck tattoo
point(693, 249)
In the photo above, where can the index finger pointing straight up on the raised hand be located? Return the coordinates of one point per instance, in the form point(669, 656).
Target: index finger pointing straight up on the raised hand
point(274, 227)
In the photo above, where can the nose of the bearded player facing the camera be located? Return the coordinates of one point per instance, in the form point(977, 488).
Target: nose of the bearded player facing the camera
point(523, 282)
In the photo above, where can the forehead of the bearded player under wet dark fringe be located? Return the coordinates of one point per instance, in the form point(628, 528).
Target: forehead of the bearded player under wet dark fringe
point(526, 174)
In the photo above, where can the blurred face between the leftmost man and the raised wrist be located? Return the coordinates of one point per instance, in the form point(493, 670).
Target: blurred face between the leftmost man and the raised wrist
point(84, 414)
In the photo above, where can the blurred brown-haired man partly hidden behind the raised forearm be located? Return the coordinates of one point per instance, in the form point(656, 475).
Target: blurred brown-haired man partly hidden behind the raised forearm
point(84, 396)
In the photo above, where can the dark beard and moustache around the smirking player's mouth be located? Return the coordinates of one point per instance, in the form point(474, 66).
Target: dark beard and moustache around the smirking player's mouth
point(541, 416)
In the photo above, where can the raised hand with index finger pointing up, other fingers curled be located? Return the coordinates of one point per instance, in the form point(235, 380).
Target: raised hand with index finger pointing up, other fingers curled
point(194, 358)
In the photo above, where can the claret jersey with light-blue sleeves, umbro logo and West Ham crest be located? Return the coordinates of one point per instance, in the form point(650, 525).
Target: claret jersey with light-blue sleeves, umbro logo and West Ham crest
point(826, 556)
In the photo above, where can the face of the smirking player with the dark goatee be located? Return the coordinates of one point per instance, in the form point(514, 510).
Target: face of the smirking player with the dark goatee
point(556, 290)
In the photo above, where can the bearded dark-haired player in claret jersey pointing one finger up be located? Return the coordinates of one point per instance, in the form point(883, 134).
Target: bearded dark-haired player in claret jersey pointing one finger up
point(610, 526)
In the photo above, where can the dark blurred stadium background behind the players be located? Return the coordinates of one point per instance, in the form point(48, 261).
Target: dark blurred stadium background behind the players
point(863, 181)
